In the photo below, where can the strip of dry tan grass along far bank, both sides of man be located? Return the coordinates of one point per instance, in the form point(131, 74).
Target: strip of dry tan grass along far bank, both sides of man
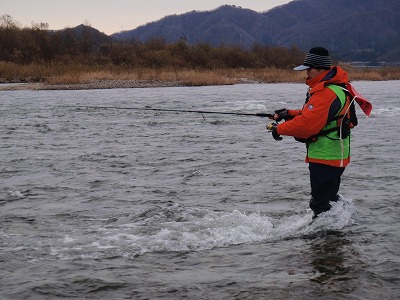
point(83, 74)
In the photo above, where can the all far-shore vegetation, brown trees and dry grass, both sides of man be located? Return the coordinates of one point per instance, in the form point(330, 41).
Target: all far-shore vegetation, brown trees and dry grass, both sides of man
point(82, 58)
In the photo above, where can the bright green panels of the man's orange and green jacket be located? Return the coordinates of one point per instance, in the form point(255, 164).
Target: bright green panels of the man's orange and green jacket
point(329, 146)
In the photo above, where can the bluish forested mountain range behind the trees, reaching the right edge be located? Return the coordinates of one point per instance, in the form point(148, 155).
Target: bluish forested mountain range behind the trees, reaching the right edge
point(351, 29)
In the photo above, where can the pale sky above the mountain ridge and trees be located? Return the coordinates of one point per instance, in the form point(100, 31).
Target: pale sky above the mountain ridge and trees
point(111, 16)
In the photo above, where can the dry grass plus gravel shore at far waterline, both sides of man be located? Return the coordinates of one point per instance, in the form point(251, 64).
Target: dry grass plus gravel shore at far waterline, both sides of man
point(103, 78)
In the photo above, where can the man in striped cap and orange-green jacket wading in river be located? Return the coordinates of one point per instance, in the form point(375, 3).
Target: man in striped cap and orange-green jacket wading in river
point(317, 125)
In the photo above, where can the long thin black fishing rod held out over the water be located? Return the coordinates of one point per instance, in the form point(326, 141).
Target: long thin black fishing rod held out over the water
point(262, 115)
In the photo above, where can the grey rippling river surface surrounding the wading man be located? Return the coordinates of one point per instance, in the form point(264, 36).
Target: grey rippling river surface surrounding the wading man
point(134, 204)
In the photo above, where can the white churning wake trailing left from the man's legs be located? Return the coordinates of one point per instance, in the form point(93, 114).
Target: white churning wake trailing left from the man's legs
point(180, 229)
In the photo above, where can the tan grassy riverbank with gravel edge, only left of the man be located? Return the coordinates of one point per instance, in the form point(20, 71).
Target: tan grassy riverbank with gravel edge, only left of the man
point(142, 78)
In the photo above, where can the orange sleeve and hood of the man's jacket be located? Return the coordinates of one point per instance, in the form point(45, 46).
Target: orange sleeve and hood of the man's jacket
point(313, 117)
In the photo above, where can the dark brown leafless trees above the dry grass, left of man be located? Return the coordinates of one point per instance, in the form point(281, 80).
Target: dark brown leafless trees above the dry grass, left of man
point(86, 45)
